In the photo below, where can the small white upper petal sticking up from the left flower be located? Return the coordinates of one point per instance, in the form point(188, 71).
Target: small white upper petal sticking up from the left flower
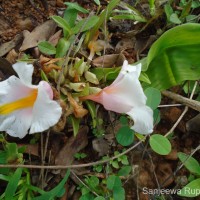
point(24, 71)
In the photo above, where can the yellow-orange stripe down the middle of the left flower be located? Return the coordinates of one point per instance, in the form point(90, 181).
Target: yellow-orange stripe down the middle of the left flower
point(25, 102)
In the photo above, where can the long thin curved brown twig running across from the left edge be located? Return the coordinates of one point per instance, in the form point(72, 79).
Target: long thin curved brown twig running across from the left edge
point(72, 166)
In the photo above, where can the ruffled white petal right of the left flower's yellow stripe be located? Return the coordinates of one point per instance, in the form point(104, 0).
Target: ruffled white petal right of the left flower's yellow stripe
point(46, 112)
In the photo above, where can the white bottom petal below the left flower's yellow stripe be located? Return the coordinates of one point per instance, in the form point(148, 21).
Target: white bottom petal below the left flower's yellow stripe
point(17, 123)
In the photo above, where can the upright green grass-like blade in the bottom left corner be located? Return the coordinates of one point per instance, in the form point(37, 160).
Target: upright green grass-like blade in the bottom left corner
point(13, 184)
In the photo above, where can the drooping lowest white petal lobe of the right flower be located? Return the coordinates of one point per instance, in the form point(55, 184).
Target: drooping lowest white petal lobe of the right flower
point(143, 119)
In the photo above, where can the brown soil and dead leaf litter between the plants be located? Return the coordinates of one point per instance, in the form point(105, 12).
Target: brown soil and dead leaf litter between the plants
point(58, 145)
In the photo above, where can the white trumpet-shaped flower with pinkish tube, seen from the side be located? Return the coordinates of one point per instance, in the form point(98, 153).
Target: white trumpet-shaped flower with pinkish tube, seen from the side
point(125, 95)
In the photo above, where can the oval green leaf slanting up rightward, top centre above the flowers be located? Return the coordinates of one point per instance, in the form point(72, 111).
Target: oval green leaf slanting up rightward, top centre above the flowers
point(85, 24)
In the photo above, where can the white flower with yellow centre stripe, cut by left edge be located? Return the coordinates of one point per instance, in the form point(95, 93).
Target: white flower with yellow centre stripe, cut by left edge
point(24, 106)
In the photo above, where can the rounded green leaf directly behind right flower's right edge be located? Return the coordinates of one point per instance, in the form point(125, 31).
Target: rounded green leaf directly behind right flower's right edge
point(153, 97)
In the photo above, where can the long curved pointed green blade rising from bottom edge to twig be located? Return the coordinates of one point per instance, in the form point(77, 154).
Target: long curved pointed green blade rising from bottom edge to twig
point(54, 192)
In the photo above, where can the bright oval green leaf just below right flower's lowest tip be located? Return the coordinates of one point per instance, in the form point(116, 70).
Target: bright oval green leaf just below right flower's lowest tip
point(160, 144)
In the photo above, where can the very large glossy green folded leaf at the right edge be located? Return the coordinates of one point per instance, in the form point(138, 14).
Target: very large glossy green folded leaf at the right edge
point(174, 57)
